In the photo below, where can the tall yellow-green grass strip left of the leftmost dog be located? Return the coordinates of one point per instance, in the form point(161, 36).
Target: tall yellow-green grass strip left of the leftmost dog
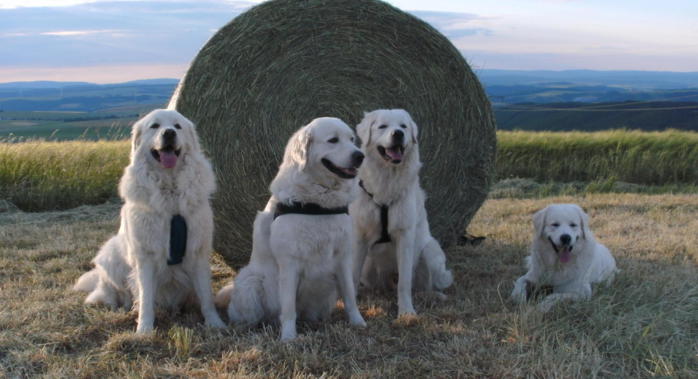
point(41, 175)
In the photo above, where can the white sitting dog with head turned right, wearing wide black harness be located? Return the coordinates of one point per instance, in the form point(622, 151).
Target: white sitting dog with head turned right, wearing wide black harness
point(302, 248)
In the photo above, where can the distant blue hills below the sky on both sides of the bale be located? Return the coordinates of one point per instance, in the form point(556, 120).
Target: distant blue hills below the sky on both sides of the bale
point(530, 100)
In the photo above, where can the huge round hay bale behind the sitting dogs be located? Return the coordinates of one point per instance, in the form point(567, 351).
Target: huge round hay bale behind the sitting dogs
point(285, 62)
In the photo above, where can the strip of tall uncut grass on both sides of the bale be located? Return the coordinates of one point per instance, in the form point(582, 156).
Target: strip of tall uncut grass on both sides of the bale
point(52, 175)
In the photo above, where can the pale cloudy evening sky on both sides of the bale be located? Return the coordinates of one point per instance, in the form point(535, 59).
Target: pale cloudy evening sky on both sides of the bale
point(107, 41)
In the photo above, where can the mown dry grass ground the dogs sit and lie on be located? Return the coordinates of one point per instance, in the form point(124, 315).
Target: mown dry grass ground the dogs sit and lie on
point(645, 325)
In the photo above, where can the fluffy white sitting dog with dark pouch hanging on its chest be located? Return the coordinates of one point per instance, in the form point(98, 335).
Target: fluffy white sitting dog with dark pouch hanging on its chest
point(161, 252)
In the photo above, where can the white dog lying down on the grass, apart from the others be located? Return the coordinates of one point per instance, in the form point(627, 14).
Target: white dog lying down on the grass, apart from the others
point(564, 255)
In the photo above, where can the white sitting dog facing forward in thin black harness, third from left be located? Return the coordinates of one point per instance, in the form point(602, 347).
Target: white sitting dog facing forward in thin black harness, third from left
point(390, 220)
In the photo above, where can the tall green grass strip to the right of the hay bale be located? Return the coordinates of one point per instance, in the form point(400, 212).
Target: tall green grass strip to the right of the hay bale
point(649, 158)
